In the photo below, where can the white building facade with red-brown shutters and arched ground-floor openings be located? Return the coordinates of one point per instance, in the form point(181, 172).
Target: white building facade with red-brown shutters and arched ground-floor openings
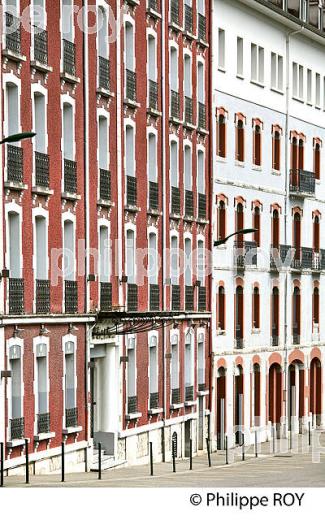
point(268, 120)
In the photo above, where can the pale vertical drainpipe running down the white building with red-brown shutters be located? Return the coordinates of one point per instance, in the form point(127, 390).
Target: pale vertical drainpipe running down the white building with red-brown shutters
point(286, 207)
